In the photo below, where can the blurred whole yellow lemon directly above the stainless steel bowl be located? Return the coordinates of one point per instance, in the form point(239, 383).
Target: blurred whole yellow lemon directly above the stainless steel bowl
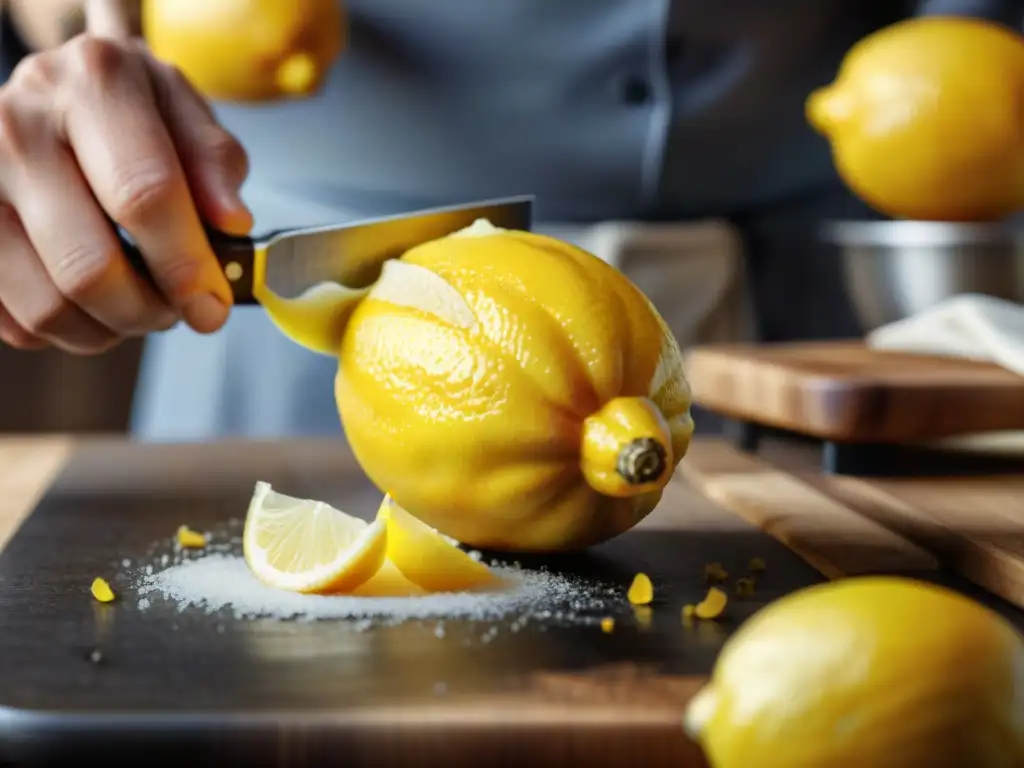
point(926, 120)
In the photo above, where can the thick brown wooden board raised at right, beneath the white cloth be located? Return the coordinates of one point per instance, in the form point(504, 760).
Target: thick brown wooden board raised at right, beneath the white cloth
point(846, 393)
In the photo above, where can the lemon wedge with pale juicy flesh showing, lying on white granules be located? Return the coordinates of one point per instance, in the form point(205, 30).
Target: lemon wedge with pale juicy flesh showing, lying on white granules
point(308, 546)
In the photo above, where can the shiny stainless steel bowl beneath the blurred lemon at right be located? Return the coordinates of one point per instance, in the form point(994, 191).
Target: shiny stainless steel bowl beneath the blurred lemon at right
point(894, 270)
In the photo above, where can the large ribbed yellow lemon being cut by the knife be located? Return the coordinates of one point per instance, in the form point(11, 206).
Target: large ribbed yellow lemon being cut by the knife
point(514, 392)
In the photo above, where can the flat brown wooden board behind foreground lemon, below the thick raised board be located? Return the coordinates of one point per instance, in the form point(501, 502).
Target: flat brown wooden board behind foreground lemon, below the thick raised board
point(973, 526)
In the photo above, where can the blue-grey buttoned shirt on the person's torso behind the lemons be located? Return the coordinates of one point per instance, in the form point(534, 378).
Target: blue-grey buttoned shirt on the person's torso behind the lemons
point(604, 109)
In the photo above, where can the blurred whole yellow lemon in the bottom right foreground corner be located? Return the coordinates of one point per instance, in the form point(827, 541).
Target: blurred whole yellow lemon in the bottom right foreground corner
point(880, 672)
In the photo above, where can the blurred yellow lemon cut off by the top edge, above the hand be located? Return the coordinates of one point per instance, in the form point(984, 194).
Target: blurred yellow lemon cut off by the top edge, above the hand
point(247, 51)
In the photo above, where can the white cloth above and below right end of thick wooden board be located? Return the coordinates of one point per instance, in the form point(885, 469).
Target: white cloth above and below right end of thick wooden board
point(970, 326)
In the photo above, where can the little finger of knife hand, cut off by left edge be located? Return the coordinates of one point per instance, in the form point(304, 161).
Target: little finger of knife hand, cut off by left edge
point(34, 308)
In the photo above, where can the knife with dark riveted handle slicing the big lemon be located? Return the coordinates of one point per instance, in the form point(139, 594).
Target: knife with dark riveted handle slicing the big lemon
point(290, 262)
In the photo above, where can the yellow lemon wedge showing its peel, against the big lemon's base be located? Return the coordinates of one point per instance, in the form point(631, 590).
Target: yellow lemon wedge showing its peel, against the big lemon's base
point(428, 559)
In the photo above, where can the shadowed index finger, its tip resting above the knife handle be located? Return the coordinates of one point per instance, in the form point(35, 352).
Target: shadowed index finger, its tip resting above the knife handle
point(215, 162)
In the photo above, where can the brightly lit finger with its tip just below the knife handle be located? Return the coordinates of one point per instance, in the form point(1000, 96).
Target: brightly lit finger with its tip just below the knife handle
point(130, 160)
